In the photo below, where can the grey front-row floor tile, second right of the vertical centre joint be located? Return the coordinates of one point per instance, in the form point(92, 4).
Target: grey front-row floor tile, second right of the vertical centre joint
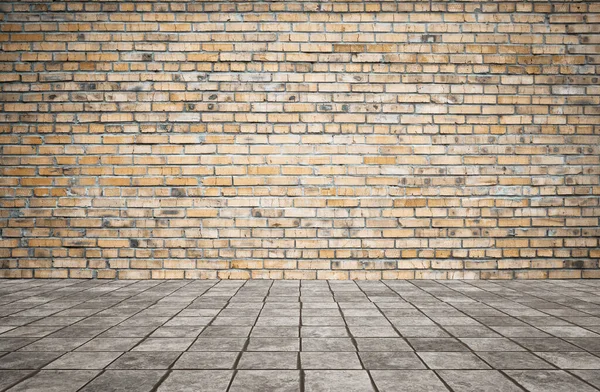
point(407, 381)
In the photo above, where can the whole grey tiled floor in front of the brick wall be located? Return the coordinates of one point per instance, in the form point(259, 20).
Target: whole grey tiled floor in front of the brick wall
point(314, 336)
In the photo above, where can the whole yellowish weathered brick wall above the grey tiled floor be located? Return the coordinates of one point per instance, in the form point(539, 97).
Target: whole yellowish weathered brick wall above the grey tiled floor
point(333, 139)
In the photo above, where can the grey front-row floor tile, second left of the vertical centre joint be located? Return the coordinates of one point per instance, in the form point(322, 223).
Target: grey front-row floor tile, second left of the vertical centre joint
point(196, 380)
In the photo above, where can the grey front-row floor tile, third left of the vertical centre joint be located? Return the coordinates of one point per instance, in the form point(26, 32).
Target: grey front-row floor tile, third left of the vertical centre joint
point(125, 380)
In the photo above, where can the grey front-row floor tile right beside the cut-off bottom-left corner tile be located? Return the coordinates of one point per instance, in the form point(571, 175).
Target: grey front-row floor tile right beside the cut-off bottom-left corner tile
point(55, 381)
